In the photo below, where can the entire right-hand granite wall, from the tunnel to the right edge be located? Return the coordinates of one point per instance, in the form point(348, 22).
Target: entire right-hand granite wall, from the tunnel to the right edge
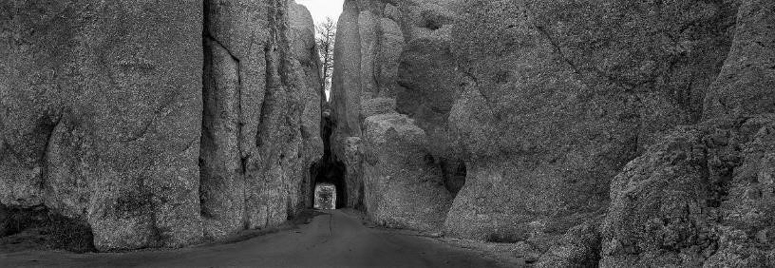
point(541, 105)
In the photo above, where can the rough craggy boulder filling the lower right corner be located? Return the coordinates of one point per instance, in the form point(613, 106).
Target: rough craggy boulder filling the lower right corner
point(700, 197)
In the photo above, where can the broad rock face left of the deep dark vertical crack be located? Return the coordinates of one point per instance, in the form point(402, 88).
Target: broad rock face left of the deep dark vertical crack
point(100, 116)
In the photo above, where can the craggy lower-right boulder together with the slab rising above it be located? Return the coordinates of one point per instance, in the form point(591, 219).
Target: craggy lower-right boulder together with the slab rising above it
point(703, 195)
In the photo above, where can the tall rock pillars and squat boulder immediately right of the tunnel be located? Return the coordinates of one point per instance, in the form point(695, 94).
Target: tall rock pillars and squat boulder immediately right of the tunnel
point(374, 42)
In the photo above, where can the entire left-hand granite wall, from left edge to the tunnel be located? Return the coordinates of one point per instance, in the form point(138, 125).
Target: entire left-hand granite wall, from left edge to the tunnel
point(104, 118)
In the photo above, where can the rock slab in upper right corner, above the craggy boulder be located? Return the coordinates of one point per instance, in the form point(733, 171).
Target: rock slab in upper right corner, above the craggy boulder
point(745, 85)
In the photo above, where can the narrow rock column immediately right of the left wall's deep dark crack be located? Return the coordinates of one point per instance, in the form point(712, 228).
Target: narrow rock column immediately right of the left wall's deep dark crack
point(222, 161)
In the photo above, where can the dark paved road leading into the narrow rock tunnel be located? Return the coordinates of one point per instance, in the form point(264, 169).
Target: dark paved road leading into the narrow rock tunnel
point(333, 239)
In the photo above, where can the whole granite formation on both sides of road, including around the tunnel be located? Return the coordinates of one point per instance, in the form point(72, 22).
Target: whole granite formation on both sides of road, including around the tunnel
point(594, 133)
